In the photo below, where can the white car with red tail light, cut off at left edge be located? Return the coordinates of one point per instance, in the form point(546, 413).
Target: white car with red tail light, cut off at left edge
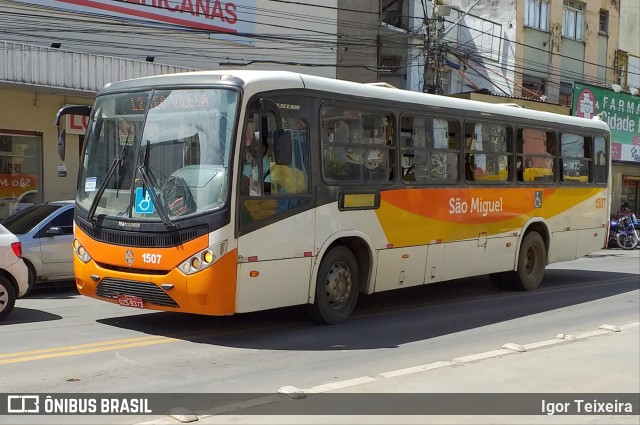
point(14, 276)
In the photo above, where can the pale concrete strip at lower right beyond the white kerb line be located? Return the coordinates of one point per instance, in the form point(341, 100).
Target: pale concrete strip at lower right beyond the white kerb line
point(588, 365)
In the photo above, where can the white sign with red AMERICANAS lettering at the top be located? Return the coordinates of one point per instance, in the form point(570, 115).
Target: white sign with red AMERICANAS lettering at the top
point(219, 16)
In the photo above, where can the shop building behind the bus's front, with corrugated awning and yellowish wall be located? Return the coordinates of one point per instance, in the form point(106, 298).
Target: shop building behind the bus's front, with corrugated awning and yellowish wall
point(47, 63)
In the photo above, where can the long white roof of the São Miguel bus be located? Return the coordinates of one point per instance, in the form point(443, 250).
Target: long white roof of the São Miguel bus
point(254, 81)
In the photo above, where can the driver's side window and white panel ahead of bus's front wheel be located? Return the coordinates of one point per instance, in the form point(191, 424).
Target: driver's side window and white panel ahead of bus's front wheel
point(276, 221)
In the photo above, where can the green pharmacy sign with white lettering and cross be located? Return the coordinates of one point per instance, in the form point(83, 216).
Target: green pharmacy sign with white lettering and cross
point(620, 110)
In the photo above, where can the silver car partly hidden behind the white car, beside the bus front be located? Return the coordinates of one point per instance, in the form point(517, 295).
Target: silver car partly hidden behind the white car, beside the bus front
point(46, 233)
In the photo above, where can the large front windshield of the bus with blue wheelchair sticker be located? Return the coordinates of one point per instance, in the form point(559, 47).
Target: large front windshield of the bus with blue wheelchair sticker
point(158, 154)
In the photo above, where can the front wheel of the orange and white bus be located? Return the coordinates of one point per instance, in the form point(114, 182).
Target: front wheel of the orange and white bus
point(337, 287)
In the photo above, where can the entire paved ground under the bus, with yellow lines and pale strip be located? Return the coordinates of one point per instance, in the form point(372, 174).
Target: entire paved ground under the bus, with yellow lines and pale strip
point(442, 338)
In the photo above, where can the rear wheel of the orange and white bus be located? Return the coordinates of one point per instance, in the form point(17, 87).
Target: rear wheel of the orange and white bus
point(531, 263)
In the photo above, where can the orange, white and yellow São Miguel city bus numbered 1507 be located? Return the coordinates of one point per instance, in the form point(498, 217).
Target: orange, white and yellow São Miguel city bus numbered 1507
point(224, 192)
